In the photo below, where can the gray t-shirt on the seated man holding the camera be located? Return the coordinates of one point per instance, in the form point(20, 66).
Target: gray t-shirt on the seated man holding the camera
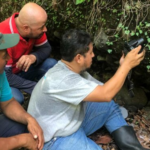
point(57, 100)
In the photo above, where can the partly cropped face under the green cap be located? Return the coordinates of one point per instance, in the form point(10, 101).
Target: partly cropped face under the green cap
point(4, 57)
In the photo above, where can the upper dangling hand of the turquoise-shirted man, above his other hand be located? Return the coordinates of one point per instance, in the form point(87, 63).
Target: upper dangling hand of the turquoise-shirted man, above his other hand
point(36, 132)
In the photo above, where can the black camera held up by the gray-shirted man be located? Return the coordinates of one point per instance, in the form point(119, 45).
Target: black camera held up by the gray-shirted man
point(128, 46)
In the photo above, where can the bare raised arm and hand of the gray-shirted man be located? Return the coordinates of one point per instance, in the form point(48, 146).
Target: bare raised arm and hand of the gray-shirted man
point(107, 91)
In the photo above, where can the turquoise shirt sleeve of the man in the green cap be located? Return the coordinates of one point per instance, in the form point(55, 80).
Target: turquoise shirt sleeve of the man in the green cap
point(6, 93)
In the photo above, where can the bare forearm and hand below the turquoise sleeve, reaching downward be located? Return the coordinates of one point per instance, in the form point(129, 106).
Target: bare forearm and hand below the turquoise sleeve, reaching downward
point(13, 110)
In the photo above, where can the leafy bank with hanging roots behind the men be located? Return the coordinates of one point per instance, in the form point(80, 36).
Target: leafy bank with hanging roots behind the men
point(120, 20)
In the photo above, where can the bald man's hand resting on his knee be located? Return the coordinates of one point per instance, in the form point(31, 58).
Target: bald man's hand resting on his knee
point(25, 62)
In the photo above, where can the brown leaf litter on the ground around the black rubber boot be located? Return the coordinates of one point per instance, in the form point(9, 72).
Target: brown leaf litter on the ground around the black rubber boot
point(140, 125)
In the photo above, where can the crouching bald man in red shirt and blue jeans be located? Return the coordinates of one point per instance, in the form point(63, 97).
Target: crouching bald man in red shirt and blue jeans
point(30, 57)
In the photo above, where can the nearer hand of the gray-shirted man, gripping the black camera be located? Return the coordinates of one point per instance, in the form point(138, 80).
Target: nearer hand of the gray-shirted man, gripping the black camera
point(133, 58)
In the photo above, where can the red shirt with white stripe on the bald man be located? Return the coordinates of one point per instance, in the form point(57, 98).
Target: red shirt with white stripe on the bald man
point(23, 47)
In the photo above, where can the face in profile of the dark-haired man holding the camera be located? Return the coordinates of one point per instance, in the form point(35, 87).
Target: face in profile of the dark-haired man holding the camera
point(88, 58)
